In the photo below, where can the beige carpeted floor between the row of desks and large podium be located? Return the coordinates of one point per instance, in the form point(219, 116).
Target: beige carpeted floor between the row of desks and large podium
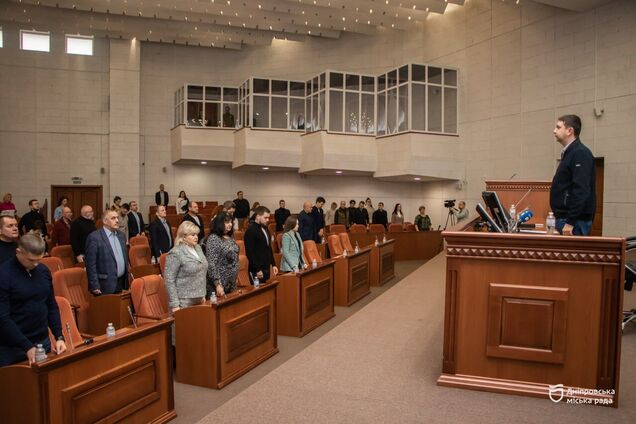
point(381, 365)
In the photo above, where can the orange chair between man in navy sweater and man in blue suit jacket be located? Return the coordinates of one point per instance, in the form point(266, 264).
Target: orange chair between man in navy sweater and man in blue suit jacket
point(72, 284)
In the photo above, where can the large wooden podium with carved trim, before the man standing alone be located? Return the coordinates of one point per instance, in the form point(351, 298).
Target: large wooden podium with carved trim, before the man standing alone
point(527, 311)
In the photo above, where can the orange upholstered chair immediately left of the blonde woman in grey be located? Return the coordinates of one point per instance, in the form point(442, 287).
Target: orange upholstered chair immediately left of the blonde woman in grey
point(149, 297)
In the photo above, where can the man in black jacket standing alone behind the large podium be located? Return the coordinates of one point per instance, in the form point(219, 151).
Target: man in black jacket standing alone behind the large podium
point(572, 194)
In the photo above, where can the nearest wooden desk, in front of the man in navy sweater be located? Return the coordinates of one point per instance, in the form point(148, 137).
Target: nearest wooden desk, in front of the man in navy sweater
point(127, 378)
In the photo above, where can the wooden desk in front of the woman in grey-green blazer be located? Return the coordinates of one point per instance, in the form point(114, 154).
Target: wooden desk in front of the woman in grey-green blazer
point(305, 300)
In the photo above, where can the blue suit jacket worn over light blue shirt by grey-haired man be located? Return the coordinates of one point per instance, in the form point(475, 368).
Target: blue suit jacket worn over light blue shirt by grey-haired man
point(101, 266)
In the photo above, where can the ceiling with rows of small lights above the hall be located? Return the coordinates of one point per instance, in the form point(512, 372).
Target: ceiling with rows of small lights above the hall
point(221, 23)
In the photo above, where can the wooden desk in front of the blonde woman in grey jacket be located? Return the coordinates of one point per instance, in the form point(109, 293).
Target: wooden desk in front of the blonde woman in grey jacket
point(218, 343)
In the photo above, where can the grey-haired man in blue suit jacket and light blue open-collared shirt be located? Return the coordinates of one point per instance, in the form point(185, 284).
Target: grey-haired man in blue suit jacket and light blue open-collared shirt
point(107, 257)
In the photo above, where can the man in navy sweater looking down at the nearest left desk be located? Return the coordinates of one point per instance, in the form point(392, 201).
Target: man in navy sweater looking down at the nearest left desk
point(27, 304)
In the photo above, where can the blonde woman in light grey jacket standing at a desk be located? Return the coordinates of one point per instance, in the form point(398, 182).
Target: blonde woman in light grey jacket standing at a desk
point(186, 269)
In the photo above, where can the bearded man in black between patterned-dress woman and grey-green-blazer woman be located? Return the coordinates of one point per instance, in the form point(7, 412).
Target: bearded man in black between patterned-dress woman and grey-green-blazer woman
point(258, 246)
